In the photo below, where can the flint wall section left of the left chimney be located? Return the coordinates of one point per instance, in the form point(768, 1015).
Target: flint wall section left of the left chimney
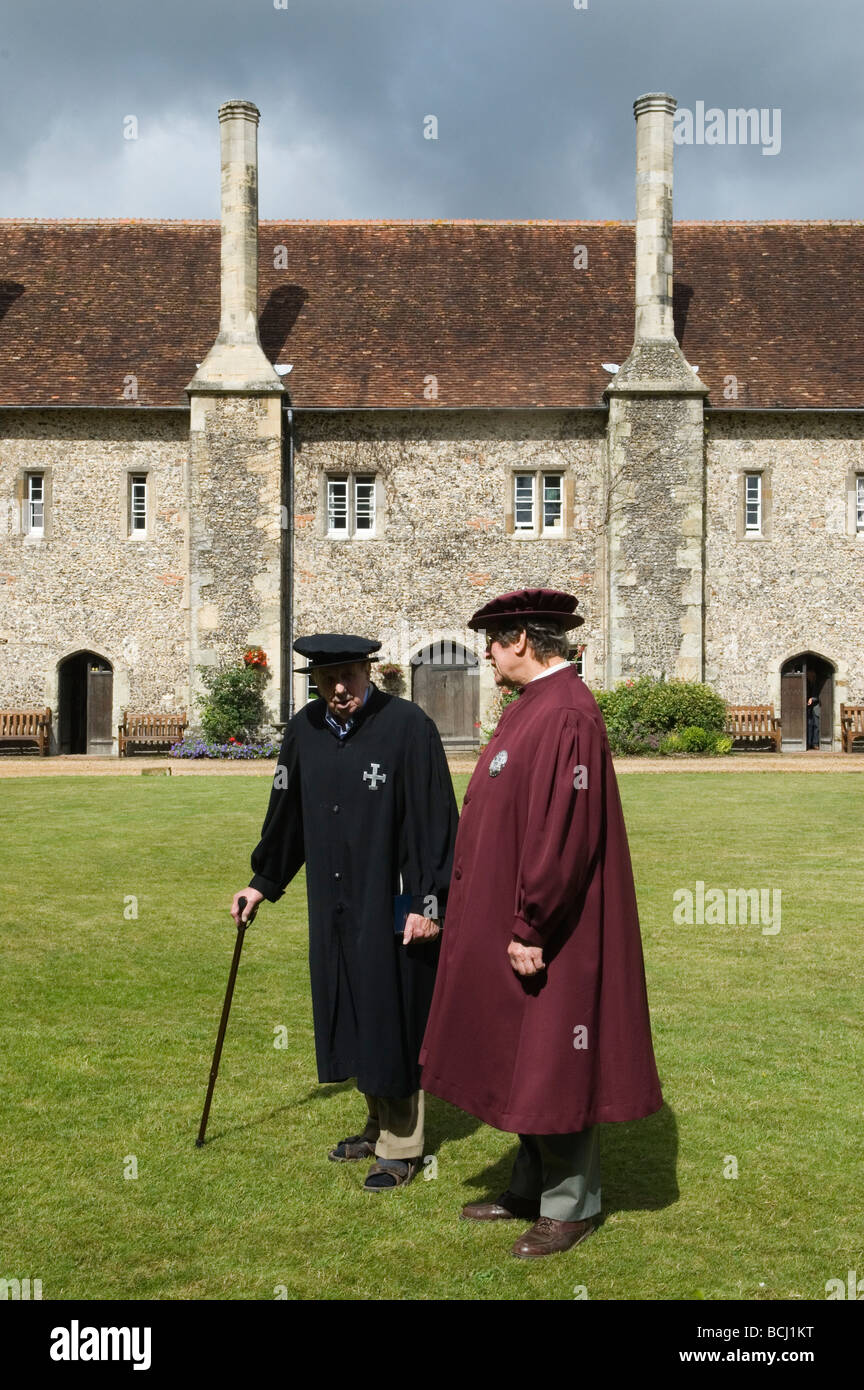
point(88, 584)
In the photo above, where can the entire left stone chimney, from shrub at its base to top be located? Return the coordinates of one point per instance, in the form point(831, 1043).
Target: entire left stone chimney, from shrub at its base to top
point(235, 448)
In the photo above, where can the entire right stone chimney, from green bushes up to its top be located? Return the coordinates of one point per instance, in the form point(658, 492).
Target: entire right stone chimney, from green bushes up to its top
point(655, 476)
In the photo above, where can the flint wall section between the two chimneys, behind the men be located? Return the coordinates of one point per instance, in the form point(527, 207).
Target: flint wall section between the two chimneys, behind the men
point(442, 546)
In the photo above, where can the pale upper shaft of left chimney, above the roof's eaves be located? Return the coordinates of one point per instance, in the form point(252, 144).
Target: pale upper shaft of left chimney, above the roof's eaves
point(237, 361)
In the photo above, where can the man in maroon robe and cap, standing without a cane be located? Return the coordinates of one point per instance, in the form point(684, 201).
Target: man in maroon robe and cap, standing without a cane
point(540, 1022)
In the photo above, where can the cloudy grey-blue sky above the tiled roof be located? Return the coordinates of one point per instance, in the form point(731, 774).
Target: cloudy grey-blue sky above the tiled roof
point(109, 108)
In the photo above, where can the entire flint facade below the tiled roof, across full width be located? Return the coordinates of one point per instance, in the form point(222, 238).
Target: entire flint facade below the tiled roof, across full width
point(444, 544)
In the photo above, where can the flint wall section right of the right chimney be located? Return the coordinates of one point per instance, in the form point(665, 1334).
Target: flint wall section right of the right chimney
point(802, 587)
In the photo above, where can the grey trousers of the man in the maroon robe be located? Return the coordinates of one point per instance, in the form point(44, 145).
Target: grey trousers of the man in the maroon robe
point(562, 1171)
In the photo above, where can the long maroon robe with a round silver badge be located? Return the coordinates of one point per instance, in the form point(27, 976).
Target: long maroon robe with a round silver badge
point(548, 861)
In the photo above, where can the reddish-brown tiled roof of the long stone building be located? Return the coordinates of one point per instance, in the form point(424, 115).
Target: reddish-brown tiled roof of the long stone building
point(367, 312)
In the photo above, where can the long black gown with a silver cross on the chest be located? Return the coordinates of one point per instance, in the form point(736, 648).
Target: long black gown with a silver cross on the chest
point(366, 833)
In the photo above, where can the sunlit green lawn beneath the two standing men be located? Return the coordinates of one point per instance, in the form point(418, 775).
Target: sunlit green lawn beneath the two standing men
point(108, 1027)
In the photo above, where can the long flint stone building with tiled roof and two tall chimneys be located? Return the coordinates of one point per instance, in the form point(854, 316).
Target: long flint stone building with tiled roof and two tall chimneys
point(399, 420)
